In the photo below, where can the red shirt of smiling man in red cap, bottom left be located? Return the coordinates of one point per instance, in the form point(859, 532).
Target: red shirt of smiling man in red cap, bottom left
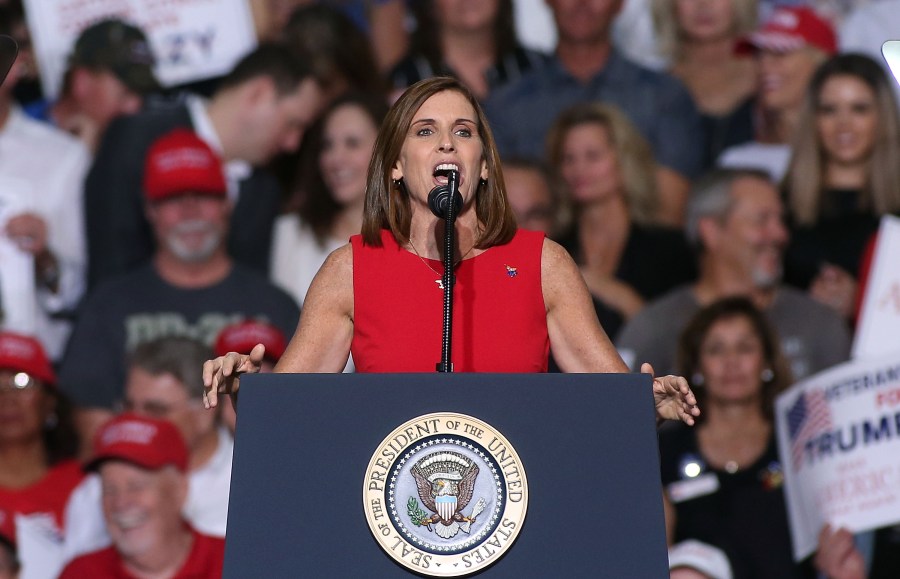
point(204, 562)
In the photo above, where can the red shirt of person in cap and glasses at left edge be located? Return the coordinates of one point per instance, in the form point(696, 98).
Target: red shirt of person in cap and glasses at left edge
point(47, 496)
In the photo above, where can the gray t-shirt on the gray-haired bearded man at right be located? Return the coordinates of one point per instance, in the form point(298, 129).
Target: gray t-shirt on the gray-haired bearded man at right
point(812, 336)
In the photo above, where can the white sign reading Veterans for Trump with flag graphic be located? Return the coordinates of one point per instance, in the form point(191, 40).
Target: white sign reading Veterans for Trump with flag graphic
point(839, 441)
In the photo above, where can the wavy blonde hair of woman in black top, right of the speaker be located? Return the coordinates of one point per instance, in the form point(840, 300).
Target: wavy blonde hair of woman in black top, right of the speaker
point(634, 156)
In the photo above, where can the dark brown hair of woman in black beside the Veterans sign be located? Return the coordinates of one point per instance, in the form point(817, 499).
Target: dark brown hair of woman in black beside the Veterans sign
point(691, 343)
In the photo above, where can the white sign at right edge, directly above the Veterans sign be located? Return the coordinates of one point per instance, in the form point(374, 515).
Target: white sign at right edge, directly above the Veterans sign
point(879, 319)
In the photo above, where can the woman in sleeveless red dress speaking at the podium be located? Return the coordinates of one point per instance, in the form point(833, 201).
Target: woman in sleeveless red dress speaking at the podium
point(516, 293)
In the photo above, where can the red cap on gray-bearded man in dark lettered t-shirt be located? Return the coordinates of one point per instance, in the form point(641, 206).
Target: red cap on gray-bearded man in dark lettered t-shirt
point(179, 163)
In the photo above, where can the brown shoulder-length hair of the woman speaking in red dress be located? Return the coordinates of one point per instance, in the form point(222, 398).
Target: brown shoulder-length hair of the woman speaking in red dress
point(387, 202)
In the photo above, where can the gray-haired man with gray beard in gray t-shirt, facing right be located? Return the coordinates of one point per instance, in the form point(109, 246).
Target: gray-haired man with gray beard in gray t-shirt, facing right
point(735, 220)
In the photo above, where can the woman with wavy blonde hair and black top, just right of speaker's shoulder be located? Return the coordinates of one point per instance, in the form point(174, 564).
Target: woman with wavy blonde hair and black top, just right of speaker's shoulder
point(606, 169)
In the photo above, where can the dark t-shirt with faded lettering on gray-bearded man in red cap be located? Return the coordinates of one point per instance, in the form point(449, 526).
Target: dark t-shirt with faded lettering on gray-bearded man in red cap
point(138, 307)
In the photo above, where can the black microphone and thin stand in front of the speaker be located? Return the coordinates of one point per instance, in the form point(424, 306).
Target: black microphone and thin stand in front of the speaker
point(439, 203)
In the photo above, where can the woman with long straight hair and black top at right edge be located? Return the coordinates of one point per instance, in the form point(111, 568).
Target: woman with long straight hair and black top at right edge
point(843, 176)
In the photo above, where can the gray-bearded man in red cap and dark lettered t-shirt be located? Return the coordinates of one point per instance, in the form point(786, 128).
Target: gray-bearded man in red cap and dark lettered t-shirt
point(191, 288)
